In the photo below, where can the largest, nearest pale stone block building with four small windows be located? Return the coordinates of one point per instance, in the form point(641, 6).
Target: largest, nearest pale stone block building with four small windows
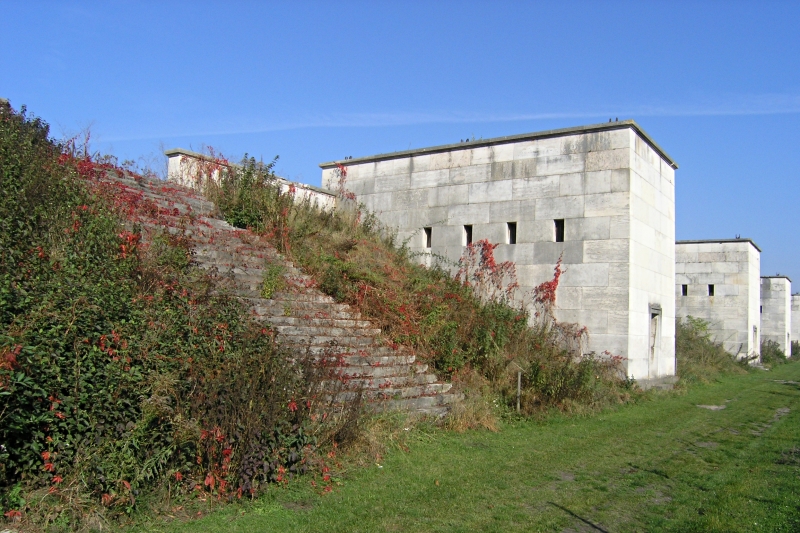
point(601, 197)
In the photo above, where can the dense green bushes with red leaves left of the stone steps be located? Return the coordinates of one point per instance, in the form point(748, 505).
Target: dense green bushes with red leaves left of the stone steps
point(123, 370)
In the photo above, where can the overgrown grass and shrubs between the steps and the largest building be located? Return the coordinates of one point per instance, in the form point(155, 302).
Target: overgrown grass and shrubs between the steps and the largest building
point(473, 329)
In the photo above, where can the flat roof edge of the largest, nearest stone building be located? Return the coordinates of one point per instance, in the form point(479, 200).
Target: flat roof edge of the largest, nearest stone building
point(594, 128)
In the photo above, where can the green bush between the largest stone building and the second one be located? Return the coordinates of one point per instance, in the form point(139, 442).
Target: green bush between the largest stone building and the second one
point(699, 357)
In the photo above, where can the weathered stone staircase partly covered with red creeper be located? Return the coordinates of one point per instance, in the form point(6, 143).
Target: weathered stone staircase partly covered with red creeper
point(304, 320)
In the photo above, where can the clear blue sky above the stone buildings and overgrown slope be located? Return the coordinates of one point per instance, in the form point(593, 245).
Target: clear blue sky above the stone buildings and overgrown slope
point(716, 84)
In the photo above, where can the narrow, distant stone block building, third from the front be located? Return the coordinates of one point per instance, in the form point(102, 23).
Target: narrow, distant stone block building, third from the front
point(776, 311)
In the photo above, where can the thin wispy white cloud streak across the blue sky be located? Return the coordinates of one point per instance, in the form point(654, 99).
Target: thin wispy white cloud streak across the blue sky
point(767, 104)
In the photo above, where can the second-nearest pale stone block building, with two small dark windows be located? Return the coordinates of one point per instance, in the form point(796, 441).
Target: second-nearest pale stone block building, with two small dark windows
point(720, 282)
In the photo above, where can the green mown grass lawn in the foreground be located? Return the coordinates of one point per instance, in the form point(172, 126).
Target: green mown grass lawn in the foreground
point(661, 465)
